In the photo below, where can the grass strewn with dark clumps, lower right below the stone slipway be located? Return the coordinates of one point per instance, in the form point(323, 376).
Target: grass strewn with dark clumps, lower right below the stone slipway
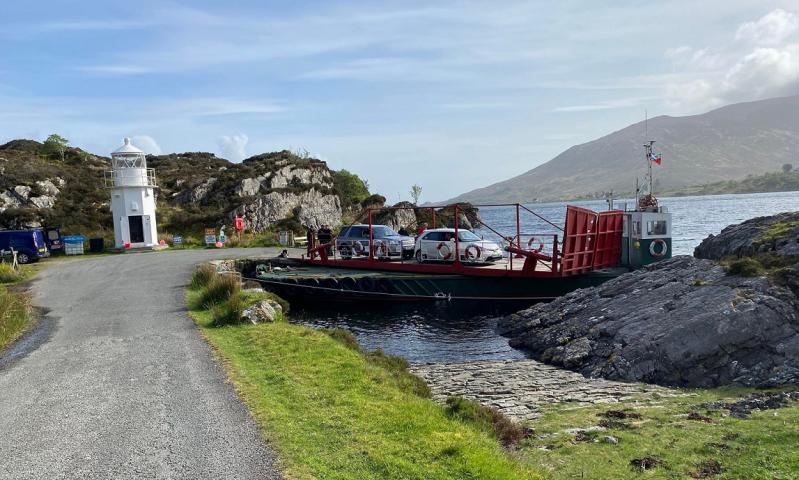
point(762, 446)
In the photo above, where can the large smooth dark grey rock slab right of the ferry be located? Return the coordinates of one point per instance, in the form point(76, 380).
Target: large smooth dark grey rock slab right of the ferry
point(681, 322)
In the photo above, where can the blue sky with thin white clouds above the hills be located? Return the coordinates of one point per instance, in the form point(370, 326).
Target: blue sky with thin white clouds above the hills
point(452, 95)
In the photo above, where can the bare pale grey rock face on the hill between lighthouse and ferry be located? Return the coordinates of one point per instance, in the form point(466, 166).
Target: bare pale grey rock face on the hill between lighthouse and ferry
point(310, 208)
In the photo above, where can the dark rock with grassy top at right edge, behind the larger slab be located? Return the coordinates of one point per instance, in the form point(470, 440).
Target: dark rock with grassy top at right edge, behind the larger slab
point(777, 233)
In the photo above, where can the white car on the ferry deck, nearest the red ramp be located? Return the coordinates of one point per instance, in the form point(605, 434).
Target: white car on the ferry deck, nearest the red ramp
point(438, 244)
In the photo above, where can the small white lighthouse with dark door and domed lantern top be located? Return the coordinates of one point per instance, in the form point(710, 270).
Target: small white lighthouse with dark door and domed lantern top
point(132, 198)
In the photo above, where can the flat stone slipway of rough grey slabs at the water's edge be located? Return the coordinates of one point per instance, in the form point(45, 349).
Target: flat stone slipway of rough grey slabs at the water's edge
point(518, 388)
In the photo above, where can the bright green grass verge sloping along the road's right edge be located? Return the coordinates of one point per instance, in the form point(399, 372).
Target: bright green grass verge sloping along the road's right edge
point(332, 412)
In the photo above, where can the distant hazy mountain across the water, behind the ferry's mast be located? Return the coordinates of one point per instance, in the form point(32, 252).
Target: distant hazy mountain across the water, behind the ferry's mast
point(728, 143)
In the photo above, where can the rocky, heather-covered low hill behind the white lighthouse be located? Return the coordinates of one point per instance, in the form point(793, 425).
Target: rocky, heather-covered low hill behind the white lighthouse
point(196, 190)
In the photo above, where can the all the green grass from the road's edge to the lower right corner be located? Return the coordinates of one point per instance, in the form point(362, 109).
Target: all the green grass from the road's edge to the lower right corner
point(331, 410)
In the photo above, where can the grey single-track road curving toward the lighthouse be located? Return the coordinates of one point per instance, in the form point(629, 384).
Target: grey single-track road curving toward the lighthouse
point(123, 385)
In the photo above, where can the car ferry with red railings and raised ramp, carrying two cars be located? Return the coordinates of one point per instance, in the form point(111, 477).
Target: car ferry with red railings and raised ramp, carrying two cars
point(454, 263)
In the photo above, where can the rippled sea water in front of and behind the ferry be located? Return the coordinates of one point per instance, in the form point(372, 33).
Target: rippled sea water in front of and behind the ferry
point(443, 332)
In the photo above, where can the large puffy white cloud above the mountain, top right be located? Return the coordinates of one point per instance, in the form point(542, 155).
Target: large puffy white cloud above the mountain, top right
point(764, 64)
